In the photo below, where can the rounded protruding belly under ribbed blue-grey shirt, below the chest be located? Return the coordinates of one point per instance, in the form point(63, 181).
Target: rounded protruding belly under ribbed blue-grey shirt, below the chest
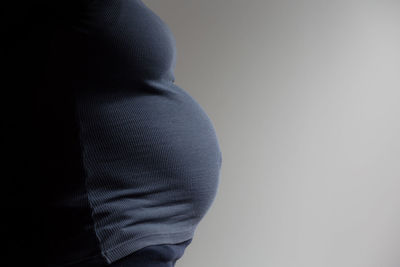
point(154, 147)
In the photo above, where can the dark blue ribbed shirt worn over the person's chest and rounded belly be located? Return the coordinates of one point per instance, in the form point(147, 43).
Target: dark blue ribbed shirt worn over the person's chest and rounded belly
point(125, 157)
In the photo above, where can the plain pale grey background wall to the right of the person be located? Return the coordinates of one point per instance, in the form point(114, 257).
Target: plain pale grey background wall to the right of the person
point(304, 96)
